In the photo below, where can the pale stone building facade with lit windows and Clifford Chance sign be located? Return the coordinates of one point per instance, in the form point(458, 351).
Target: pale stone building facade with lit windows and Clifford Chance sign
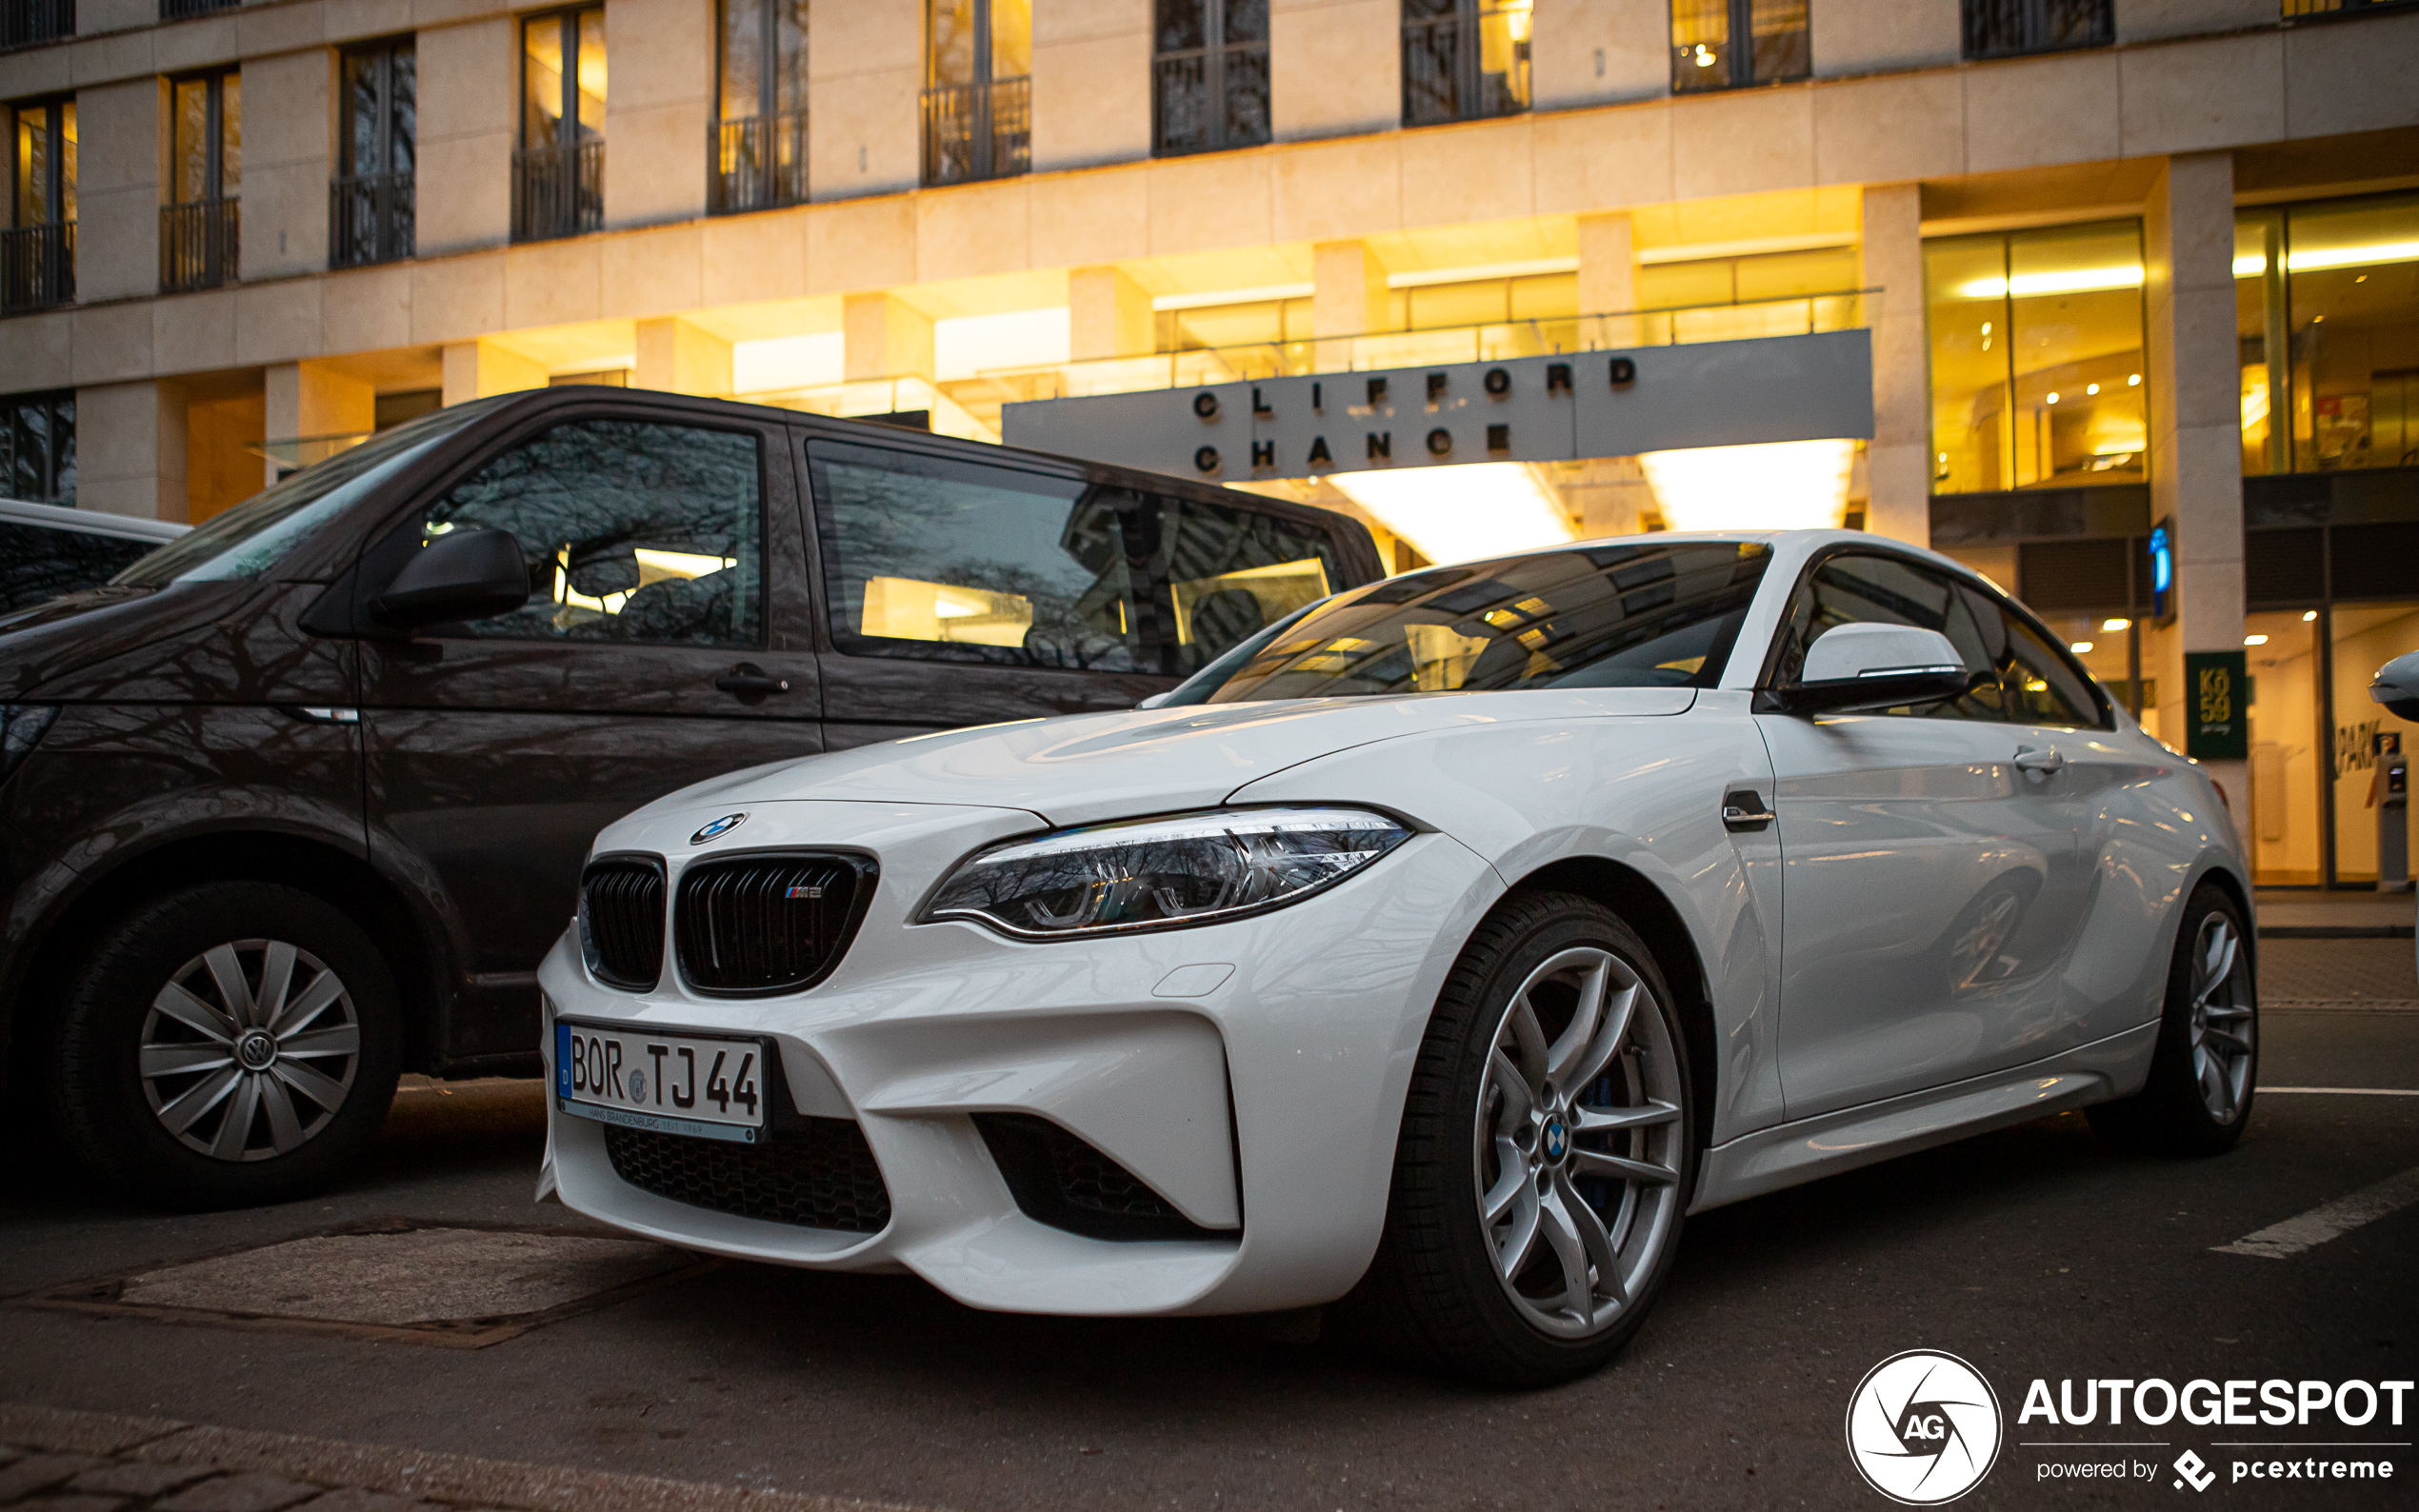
point(2101, 272)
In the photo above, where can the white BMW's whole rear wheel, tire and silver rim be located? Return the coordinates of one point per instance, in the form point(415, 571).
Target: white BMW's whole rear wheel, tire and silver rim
point(2207, 1063)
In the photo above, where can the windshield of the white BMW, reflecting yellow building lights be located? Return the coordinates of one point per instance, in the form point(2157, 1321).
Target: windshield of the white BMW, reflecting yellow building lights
point(1634, 616)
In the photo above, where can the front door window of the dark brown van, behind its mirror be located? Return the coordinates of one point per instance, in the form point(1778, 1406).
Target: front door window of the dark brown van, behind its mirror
point(635, 531)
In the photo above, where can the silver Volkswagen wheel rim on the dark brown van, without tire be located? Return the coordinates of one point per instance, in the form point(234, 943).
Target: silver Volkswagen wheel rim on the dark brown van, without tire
point(250, 1051)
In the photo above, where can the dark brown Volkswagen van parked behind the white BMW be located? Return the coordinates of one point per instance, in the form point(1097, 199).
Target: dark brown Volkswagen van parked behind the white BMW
point(301, 800)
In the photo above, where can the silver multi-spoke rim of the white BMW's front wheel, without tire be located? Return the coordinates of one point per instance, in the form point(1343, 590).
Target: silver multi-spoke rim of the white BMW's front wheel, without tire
point(1578, 1143)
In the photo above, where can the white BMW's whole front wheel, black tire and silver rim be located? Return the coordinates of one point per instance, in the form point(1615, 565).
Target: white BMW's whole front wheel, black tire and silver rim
point(1503, 1191)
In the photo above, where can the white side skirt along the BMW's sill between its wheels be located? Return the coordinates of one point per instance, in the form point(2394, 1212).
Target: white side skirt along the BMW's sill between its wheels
point(1849, 1138)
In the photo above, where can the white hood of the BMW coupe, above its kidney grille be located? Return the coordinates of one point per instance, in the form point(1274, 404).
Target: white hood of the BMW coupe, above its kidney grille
point(1097, 768)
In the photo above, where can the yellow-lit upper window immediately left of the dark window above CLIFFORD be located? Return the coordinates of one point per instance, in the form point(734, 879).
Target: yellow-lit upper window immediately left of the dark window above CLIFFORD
point(978, 98)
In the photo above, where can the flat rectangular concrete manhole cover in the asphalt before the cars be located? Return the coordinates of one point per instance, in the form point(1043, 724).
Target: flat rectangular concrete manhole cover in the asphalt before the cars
point(434, 1283)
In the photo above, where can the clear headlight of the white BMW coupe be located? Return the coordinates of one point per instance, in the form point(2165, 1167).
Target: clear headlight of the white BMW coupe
point(1162, 875)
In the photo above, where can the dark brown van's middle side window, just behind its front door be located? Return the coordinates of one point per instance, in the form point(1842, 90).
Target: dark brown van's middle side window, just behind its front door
point(942, 560)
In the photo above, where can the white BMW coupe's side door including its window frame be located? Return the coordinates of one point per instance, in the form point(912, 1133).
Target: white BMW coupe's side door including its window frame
point(1919, 860)
